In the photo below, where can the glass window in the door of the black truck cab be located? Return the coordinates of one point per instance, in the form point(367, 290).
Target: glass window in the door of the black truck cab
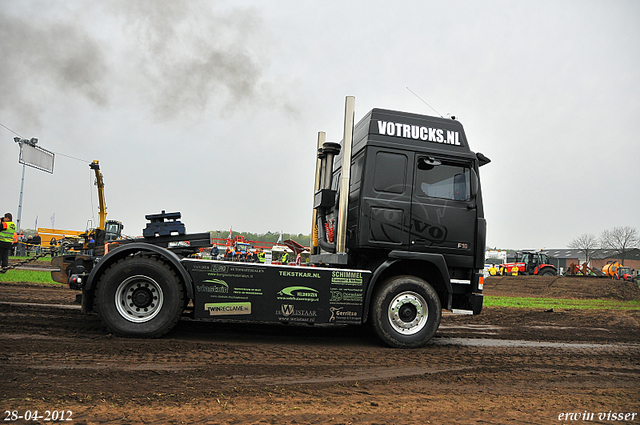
point(445, 181)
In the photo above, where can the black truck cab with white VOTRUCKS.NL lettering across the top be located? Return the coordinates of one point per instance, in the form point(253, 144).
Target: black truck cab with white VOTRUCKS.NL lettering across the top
point(414, 206)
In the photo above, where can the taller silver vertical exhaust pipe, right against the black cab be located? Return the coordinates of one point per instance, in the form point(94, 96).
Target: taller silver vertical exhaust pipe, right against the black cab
point(343, 203)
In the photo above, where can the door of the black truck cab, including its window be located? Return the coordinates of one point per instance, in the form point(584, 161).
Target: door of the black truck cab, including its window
point(443, 212)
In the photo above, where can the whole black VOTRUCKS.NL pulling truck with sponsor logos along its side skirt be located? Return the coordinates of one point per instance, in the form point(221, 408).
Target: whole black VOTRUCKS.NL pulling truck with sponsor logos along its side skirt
point(398, 236)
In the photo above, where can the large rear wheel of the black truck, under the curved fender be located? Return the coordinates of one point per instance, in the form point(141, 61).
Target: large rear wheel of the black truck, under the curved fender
point(140, 297)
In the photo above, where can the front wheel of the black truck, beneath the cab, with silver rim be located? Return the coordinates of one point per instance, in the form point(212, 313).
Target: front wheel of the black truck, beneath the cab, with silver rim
point(406, 312)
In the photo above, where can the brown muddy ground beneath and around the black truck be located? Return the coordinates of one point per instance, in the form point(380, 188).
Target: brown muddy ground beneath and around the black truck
point(517, 366)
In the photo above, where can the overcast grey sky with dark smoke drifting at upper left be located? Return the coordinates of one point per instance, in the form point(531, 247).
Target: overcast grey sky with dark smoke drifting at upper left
point(212, 108)
